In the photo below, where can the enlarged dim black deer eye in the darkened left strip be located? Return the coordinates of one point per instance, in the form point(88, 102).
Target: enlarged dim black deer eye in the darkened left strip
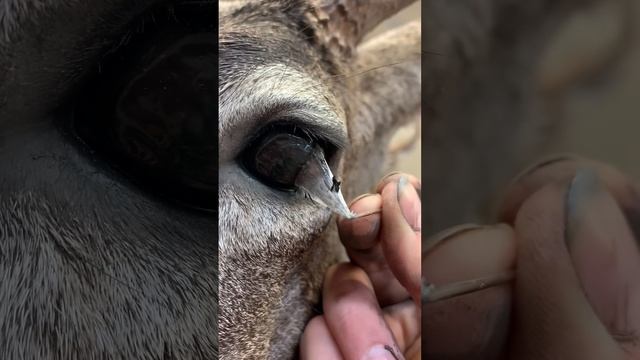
point(149, 113)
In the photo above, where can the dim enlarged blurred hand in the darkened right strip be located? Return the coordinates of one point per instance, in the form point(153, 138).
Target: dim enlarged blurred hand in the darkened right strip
point(572, 236)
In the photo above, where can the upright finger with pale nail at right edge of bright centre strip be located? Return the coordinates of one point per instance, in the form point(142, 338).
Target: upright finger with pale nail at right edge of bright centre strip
point(400, 234)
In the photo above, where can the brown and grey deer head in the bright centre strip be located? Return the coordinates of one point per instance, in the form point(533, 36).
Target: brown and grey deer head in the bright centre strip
point(292, 66)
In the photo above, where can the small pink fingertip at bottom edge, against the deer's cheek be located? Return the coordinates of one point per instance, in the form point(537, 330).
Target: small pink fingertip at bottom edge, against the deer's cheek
point(317, 342)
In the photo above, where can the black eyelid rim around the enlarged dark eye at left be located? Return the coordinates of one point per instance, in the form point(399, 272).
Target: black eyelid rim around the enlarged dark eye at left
point(81, 122)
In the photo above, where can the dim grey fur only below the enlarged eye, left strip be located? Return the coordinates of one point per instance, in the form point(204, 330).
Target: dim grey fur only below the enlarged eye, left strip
point(91, 268)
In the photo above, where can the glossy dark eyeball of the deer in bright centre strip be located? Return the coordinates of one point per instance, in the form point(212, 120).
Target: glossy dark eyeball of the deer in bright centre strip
point(280, 157)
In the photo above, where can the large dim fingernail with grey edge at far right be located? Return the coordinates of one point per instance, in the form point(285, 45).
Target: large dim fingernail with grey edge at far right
point(603, 251)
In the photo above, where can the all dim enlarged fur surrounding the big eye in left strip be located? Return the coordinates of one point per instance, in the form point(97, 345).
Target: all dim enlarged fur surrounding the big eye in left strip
point(91, 267)
